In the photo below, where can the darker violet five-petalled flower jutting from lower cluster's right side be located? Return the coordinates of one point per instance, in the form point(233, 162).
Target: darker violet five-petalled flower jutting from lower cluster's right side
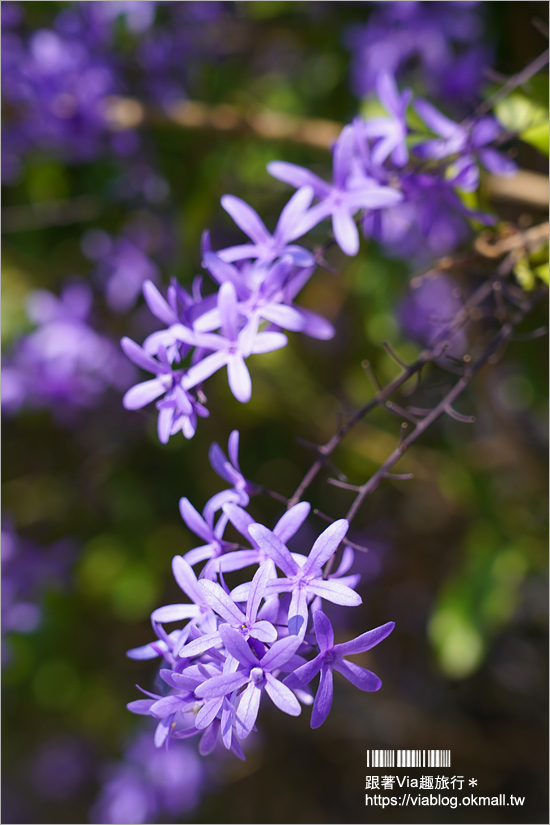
point(331, 657)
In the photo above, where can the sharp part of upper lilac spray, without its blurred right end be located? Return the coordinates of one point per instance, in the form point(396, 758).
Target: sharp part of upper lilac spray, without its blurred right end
point(257, 283)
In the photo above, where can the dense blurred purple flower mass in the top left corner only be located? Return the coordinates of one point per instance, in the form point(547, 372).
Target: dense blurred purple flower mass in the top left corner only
point(54, 84)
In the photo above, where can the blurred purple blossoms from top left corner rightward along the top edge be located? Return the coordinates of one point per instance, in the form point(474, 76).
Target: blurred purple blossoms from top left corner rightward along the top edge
point(56, 81)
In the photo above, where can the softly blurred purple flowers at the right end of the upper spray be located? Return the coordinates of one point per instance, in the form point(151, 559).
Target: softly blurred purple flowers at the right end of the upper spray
point(432, 218)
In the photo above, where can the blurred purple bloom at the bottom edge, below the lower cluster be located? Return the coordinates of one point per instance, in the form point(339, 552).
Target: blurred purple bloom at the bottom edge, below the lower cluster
point(150, 784)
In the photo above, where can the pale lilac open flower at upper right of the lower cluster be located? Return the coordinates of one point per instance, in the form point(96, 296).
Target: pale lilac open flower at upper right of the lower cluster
point(305, 581)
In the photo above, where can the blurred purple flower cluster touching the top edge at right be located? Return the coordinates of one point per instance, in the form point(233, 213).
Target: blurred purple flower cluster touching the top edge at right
point(438, 45)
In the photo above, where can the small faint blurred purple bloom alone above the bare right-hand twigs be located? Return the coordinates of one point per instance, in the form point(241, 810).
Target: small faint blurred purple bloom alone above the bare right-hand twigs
point(429, 309)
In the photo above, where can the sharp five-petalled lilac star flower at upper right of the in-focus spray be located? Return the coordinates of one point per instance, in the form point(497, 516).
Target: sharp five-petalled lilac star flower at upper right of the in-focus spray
point(344, 198)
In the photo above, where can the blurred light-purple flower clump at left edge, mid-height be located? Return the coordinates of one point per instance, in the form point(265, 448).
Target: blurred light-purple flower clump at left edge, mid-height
point(64, 363)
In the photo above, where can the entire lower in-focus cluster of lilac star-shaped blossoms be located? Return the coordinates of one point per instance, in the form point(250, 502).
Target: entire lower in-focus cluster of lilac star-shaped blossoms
point(238, 645)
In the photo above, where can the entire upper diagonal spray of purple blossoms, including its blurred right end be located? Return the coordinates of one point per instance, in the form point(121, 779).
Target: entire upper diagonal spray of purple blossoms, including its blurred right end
point(400, 187)
